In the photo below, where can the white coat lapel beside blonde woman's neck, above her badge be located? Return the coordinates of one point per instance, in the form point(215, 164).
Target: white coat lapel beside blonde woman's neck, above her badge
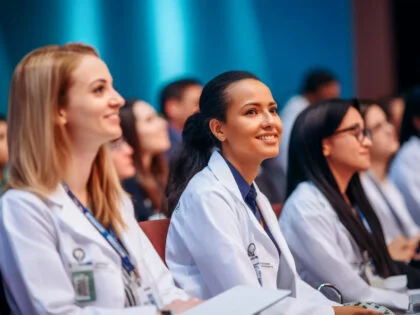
point(73, 218)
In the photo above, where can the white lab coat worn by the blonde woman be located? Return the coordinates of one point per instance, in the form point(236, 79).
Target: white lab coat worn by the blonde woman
point(37, 240)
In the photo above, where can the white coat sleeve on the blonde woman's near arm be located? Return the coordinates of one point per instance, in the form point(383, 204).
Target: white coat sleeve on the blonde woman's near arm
point(31, 266)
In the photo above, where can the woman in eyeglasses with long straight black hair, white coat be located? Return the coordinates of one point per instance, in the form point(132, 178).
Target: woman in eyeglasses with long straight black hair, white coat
point(327, 221)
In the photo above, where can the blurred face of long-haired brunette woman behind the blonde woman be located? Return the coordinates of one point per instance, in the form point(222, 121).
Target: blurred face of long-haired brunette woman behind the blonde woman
point(152, 130)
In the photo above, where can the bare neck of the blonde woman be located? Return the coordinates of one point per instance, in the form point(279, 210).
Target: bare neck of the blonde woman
point(78, 171)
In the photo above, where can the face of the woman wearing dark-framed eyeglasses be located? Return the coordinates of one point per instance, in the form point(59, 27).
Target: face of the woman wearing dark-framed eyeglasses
point(348, 152)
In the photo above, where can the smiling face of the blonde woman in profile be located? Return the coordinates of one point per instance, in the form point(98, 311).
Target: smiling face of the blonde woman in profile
point(91, 113)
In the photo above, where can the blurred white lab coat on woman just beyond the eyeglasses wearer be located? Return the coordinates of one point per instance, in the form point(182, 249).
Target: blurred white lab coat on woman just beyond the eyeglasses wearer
point(389, 223)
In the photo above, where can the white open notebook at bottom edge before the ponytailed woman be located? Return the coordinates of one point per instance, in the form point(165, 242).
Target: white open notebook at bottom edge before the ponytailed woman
point(240, 300)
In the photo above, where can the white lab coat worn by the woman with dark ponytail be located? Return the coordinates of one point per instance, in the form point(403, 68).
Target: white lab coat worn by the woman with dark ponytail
point(211, 229)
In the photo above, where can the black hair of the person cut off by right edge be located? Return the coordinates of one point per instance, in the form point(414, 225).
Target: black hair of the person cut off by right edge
point(412, 110)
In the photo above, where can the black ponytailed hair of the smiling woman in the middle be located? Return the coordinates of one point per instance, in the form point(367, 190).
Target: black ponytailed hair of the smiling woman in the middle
point(197, 139)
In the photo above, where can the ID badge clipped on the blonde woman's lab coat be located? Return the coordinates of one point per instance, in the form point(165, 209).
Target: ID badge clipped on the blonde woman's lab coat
point(83, 281)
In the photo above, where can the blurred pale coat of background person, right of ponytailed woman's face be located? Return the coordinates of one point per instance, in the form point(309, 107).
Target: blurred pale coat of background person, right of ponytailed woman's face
point(288, 115)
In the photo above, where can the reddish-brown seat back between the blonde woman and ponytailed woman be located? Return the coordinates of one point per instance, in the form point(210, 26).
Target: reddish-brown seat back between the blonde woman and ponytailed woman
point(156, 231)
